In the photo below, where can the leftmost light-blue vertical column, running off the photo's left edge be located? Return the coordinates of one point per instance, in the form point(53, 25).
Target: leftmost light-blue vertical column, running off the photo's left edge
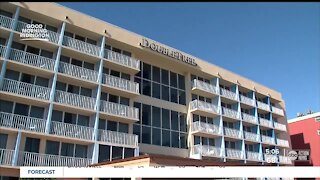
point(8, 47)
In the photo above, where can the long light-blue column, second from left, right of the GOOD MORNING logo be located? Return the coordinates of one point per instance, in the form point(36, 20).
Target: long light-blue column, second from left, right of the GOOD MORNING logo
point(55, 76)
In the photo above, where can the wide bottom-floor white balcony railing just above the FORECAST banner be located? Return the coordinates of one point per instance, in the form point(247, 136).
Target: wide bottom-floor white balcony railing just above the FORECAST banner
point(37, 159)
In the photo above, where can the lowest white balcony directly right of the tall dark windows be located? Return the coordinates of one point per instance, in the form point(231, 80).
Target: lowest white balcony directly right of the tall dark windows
point(208, 151)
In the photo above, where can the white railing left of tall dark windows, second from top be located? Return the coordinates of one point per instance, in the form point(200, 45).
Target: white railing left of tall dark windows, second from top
point(120, 83)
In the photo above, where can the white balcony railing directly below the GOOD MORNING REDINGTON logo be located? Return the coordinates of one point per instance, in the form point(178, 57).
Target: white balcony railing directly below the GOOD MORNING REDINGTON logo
point(31, 59)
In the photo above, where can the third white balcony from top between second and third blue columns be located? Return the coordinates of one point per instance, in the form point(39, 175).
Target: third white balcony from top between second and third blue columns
point(74, 100)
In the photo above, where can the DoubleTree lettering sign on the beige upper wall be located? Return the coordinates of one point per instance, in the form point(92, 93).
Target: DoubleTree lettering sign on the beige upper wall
point(167, 52)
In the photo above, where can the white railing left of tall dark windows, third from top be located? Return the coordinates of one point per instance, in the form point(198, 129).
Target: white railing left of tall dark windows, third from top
point(119, 110)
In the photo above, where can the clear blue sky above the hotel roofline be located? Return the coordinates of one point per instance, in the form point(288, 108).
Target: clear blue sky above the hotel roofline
point(274, 44)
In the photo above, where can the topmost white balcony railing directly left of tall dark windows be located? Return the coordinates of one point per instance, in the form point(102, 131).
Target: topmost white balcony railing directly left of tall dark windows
point(122, 59)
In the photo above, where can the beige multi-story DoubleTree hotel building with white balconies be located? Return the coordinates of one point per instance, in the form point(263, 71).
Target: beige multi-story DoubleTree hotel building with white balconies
point(95, 92)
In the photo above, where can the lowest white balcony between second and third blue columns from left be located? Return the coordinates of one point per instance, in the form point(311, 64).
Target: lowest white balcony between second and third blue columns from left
point(71, 130)
